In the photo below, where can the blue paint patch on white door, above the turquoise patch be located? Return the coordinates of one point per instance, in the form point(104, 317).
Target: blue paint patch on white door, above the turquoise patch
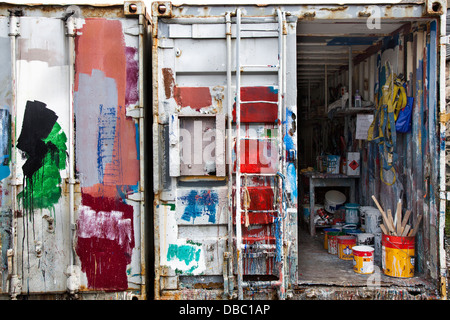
point(200, 204)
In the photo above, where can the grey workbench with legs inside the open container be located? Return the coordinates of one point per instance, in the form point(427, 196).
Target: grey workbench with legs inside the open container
point(318, 179)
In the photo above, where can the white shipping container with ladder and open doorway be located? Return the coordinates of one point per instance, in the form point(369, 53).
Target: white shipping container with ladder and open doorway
point(261, 112)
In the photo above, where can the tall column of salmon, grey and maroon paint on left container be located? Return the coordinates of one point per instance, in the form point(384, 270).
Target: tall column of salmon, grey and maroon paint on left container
point(107, 152)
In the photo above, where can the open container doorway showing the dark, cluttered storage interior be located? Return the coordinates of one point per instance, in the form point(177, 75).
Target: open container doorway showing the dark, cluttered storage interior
point(340, 65)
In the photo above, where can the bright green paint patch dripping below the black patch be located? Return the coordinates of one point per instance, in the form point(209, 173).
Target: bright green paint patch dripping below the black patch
point(43, 189)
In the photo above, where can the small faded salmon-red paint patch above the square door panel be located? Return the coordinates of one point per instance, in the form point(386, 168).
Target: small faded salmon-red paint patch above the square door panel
point(194, 97)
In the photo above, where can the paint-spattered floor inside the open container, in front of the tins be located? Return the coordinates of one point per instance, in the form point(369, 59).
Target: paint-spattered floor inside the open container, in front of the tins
point(318, 267)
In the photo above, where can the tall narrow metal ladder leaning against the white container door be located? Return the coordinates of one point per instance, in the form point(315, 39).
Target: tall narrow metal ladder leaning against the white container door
point(278, 177)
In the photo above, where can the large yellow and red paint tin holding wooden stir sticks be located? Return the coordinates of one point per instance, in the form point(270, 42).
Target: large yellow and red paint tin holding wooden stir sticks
point(398, 256)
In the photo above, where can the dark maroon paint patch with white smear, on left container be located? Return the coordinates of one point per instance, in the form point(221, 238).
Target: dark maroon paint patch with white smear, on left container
point(104, 258)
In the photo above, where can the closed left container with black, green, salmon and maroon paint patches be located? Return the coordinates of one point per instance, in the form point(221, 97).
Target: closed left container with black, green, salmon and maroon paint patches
point(72, 177)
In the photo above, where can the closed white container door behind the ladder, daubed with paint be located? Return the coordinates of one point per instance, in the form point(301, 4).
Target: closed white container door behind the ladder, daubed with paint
point(195, 155)
